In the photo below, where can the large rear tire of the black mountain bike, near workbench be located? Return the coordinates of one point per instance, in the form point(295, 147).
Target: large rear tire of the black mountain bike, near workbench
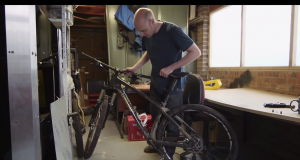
point(233, 142)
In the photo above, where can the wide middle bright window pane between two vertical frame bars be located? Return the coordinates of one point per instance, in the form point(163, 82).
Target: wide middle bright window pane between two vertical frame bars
point(267, 31)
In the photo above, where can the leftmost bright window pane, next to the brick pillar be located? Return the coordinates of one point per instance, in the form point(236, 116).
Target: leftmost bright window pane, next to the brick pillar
point(225, 37)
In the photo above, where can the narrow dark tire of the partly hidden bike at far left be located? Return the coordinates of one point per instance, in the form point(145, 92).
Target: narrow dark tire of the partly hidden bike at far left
point(77, 128)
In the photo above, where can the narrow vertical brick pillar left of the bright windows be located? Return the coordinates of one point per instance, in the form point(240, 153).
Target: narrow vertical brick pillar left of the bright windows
point(202, 41)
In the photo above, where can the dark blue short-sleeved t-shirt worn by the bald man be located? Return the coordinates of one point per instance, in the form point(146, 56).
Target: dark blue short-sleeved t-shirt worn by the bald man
point(165, 48)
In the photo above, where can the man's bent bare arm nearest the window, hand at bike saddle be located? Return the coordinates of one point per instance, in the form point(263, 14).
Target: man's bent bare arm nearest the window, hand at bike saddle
point(193, 53)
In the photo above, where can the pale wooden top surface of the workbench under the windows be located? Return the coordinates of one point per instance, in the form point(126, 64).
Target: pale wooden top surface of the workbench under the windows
point(252, 100)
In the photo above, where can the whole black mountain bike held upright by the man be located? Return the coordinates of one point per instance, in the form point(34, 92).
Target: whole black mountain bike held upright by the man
point(189, 144)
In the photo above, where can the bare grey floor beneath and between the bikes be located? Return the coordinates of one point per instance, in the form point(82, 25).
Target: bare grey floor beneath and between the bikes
point(112, 147)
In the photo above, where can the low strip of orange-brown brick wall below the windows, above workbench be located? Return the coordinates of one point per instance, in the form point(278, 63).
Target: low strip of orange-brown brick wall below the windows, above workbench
point(285, 82)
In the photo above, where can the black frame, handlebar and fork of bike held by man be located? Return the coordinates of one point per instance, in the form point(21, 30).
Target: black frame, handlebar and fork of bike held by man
point(114, 86)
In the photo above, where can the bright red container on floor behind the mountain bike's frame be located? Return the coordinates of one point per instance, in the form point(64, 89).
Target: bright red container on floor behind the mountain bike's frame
point(134, 132)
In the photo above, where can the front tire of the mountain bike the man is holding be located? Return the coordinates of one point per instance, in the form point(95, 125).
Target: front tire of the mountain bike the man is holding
point(94, 135)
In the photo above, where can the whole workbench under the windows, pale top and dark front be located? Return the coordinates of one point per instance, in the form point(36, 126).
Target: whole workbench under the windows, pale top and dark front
point(263, 133)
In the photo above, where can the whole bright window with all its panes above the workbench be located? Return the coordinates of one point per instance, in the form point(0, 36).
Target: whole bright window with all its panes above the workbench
point(254, 36)
